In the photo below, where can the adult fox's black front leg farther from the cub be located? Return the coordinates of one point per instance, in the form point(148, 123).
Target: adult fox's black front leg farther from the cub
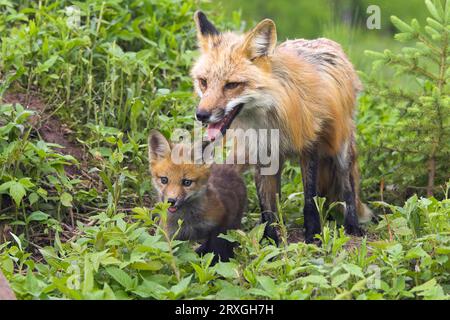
point(310, 166)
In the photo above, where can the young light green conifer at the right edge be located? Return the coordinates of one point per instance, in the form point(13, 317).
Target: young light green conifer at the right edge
point(419, 123)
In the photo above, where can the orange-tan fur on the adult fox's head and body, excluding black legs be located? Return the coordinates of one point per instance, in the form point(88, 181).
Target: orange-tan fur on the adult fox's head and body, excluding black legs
point(305, 88)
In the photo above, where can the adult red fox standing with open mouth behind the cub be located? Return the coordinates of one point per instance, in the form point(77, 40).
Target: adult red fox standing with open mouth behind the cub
point(304, 88)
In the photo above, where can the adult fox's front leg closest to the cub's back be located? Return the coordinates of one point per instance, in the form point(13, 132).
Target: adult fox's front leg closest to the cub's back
point(268, 187)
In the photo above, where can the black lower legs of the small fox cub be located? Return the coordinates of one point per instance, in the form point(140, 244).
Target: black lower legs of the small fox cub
point(222, 249)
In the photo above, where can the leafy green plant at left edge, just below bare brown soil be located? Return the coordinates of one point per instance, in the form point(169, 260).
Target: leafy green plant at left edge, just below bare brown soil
point(27, 169)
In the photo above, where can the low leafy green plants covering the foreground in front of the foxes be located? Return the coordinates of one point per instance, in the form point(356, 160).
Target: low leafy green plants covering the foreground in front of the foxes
point(116, 258)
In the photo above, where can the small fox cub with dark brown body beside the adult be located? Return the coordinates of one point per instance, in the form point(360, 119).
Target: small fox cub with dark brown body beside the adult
point(209, 199)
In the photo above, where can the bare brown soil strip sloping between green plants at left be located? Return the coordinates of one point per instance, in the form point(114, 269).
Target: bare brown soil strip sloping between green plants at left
point(50, 128)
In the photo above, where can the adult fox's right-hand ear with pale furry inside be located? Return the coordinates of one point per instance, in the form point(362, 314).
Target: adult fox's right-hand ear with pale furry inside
point(261, 41)
